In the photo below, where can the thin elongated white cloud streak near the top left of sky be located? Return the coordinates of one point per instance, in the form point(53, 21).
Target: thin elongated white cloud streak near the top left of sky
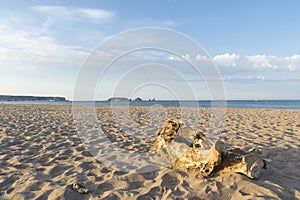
point(98, 15)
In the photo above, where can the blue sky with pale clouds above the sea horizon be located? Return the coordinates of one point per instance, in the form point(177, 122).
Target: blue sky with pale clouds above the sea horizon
point(255, 46)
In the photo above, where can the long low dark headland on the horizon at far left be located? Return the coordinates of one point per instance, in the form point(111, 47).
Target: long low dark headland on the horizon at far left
point(30, 98)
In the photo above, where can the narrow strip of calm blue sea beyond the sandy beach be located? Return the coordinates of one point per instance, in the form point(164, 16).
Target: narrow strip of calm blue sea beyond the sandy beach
point(272, 104)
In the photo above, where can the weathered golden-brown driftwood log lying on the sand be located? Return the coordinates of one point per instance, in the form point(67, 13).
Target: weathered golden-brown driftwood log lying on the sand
point(192, 151)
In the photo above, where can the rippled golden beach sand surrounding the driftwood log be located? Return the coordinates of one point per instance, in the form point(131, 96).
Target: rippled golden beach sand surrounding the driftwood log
point(42, 154)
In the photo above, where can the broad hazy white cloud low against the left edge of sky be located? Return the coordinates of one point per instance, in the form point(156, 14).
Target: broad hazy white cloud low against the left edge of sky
point(26, 50)
